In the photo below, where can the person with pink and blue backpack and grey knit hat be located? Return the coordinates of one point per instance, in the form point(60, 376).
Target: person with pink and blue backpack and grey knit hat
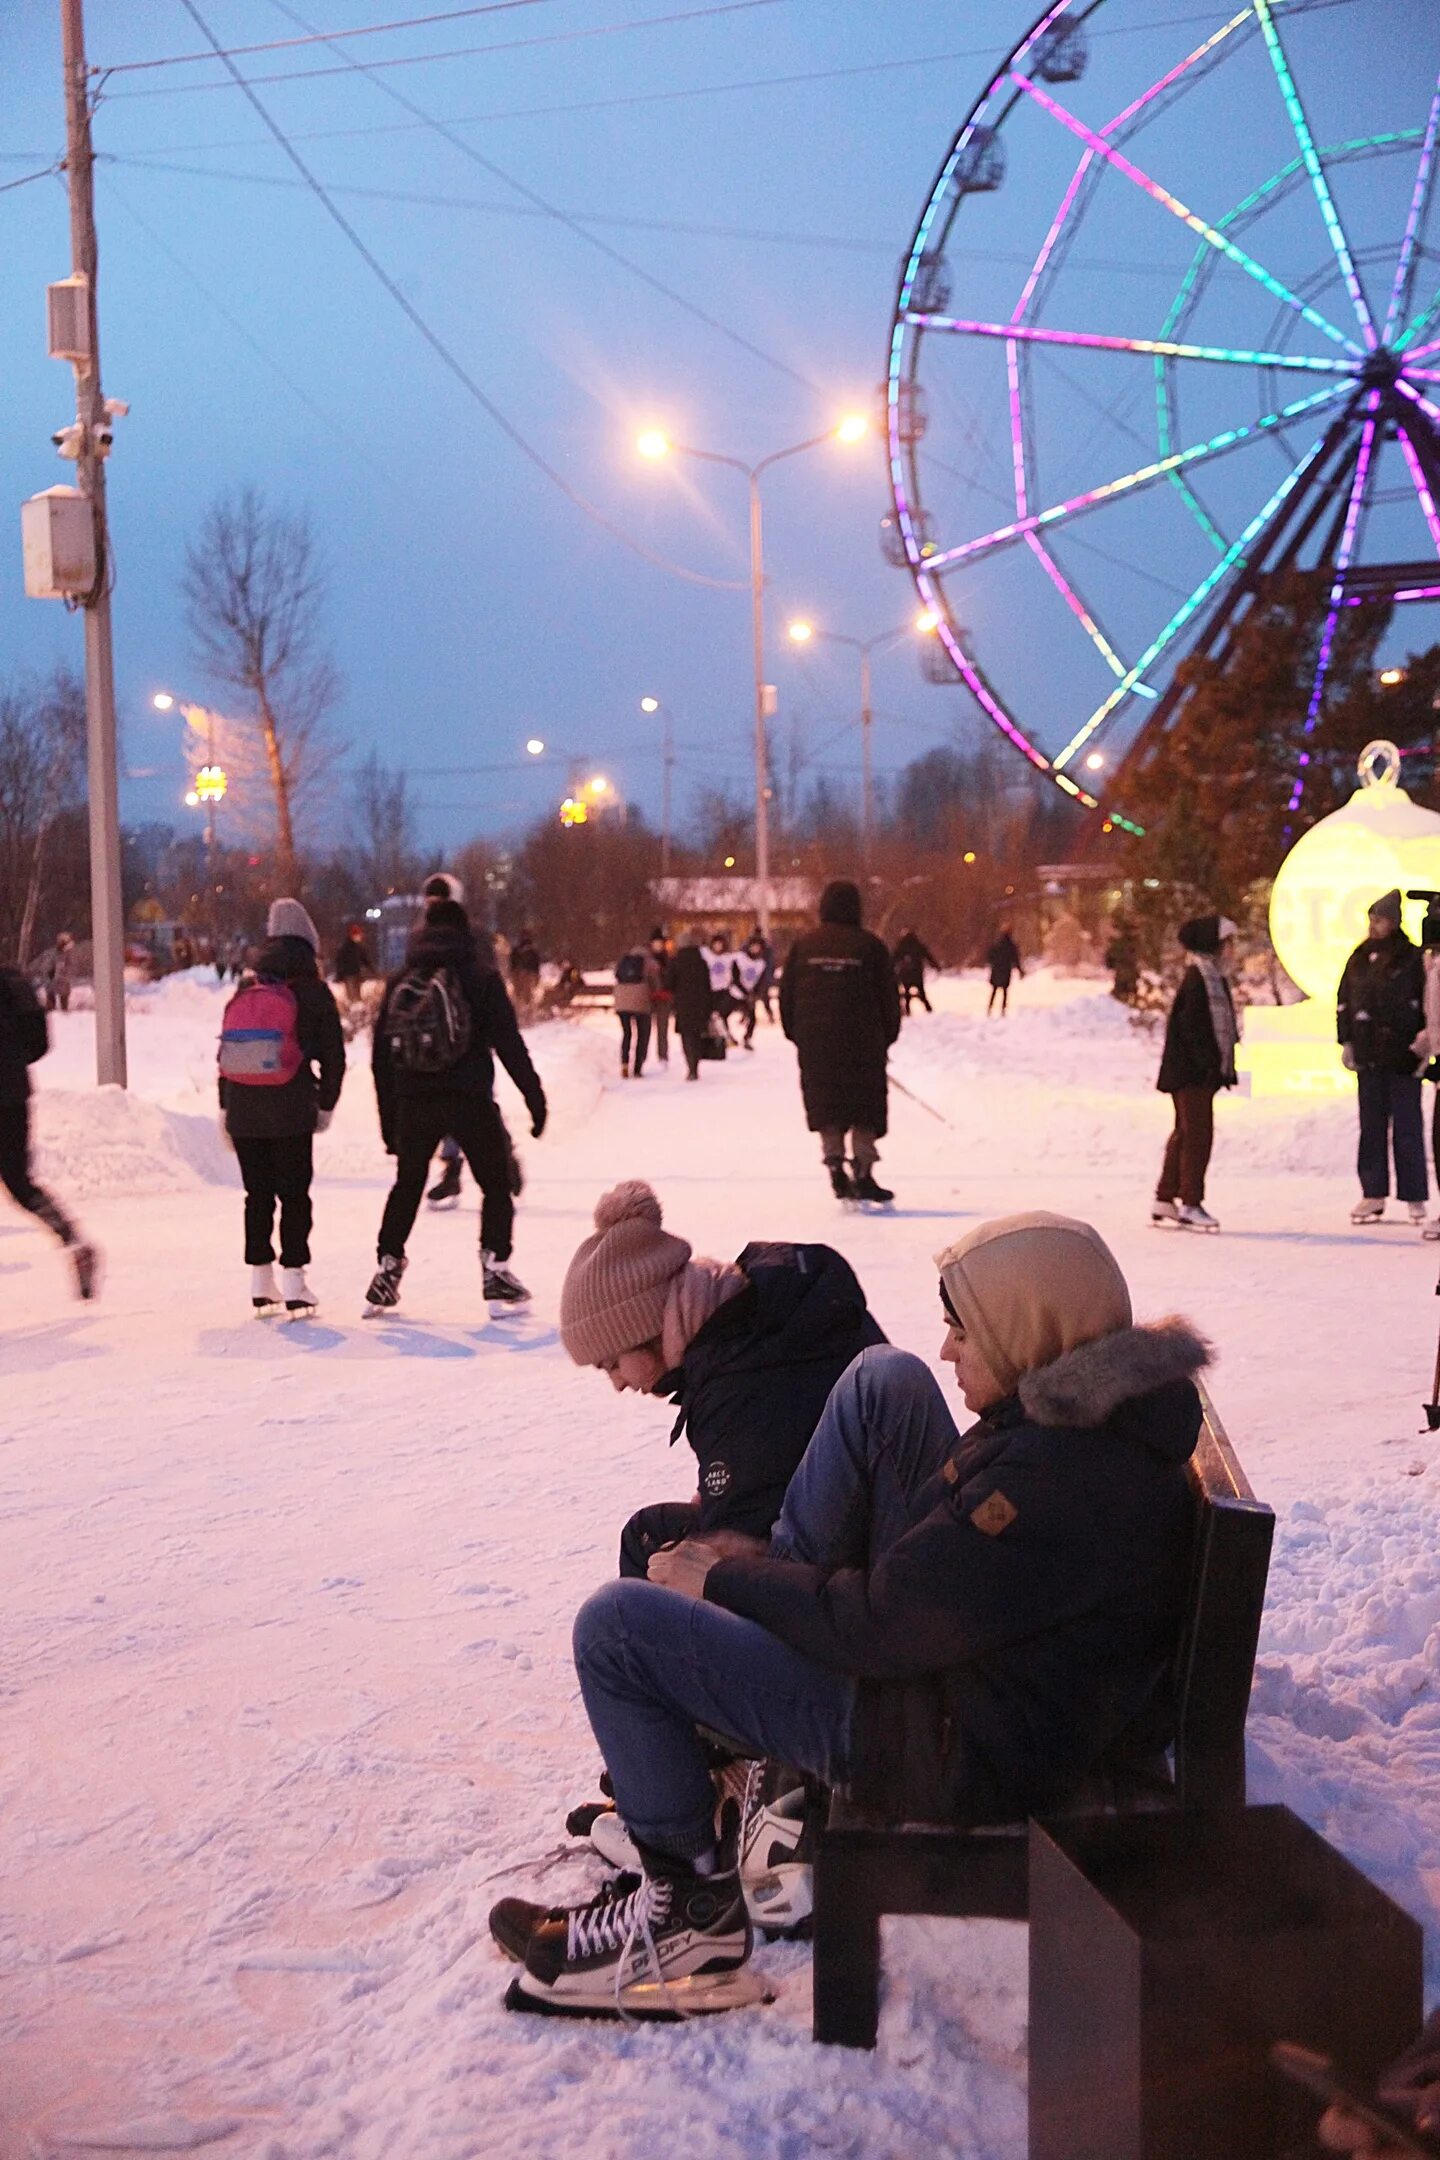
point(282, 1070)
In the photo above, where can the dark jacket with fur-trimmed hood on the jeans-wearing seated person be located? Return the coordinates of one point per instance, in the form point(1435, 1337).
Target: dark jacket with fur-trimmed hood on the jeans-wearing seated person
point(1029, 1623)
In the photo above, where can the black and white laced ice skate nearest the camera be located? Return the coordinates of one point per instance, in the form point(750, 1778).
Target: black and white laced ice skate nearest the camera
point(673, 1947)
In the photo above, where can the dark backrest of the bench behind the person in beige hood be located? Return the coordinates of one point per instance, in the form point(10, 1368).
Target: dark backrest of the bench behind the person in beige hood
point(1223, 1623)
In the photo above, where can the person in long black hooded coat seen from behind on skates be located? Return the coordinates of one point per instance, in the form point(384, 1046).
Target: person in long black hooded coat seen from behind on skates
point(841, 1008)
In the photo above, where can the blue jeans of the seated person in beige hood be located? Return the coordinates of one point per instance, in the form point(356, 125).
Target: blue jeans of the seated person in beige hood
point(655, 1664)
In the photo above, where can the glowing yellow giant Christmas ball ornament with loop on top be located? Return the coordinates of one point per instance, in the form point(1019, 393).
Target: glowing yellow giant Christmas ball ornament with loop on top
point(1318, 917)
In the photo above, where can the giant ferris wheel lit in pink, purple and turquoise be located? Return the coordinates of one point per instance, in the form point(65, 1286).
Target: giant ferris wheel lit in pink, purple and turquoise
point(1169, 327)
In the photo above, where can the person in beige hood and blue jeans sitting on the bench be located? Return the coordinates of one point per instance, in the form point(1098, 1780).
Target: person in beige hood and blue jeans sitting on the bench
point(955, 1630)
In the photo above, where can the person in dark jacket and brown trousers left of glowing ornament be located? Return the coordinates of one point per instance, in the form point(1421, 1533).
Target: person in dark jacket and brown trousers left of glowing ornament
point(1199, 1059)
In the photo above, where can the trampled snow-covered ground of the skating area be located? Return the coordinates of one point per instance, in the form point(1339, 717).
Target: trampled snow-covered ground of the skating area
point(284, 1612)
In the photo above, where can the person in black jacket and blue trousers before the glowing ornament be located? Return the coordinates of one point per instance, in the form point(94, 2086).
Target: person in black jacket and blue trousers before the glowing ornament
point(1381, 1012)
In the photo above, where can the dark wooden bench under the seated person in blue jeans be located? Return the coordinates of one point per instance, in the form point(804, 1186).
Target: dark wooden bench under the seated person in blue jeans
point(867, 1867)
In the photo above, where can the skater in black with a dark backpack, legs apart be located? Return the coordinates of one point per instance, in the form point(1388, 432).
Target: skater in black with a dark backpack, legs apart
point(444, 1023)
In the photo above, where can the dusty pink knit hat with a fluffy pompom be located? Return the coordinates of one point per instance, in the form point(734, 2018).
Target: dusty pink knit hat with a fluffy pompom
point(619, 1284)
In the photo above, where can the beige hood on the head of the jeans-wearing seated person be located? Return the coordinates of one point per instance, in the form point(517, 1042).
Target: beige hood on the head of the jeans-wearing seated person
point(1033, 1286)
